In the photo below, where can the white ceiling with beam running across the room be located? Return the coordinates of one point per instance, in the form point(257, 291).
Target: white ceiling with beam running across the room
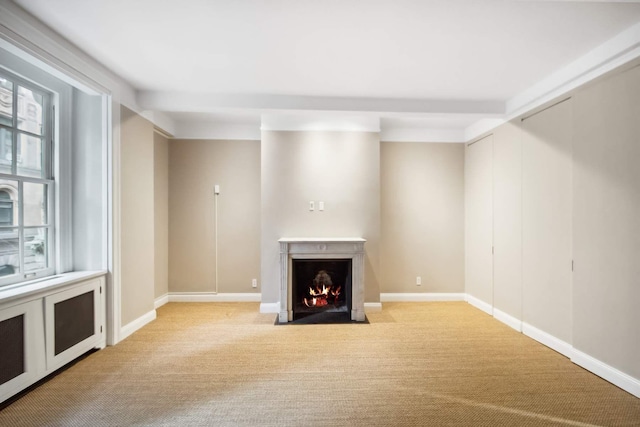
point(438, 64)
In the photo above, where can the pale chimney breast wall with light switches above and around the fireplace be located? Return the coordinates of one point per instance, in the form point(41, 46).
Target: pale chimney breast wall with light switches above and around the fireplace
point(340, 168)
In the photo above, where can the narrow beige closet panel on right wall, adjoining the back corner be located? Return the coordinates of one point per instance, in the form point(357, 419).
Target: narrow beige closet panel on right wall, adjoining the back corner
point(479, 223)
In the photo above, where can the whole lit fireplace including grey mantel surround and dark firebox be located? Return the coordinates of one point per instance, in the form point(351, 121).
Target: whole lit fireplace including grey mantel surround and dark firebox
point(321, 275)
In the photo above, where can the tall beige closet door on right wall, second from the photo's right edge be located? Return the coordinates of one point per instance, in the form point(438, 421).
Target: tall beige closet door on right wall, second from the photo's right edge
point(546, 225)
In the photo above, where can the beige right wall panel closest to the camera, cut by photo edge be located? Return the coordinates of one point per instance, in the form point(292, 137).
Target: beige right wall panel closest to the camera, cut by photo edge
point(606, 222)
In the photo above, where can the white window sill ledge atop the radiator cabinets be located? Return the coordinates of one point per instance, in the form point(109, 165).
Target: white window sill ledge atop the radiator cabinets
point(45, 284)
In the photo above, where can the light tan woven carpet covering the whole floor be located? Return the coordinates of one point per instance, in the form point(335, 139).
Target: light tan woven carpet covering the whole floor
point(225, 364)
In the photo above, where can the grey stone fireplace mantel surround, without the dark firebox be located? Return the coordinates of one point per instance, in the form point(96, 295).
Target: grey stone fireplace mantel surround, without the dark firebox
point(322, 248)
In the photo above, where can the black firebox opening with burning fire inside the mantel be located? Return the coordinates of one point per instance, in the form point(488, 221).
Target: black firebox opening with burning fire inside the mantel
point(321, 286)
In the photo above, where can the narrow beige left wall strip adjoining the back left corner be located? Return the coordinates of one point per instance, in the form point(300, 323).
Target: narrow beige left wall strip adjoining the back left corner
point(161, 213)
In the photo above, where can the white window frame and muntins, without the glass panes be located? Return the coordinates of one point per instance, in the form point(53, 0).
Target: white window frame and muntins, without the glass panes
point(47, 167)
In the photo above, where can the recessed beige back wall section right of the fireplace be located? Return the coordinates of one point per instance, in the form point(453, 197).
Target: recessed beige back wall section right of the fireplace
point(422, 217)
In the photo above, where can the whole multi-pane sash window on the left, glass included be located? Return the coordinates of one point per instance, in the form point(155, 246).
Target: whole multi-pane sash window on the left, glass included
point(26, 181)
